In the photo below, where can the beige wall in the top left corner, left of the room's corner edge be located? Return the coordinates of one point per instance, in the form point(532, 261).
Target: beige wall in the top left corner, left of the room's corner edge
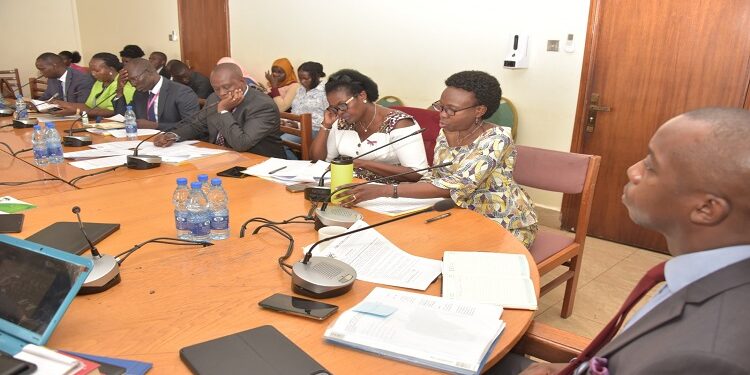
point(23, 40)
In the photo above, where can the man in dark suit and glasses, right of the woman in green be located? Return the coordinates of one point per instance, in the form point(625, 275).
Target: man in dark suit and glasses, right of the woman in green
point(158, 103)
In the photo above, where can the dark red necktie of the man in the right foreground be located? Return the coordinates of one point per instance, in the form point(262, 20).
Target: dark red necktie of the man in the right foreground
point(652, 277)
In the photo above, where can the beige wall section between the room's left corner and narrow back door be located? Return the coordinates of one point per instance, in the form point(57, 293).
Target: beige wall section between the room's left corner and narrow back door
point(108, 25)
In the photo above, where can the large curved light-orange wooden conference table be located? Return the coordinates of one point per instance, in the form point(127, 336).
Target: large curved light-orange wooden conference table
point(171, 297)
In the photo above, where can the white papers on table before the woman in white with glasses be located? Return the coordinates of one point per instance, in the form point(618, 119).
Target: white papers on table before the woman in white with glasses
point(289, 172)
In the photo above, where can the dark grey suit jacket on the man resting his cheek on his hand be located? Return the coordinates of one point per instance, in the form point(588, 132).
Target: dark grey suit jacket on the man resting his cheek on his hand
point(253, 126)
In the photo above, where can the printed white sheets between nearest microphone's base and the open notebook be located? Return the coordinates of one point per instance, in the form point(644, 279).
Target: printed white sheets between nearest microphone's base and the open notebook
point(378, 260)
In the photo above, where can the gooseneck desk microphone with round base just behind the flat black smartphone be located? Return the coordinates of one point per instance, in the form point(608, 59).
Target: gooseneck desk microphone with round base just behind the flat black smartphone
point(325, 277)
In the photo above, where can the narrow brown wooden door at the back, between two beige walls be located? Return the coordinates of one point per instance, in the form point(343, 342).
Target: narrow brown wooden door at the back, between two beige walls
point(204, 33)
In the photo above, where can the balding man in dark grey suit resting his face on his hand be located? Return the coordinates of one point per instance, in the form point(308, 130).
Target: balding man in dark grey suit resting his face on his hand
point(237, 116)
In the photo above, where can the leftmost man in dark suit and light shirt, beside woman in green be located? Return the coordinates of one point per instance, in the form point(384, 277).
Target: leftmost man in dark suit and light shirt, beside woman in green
point(69, 84)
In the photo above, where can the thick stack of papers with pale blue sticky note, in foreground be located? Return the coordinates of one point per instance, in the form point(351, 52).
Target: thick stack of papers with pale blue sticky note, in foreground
point(426, 330)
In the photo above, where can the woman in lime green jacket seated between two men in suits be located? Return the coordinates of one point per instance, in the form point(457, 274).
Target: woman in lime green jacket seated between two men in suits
point(104, 67)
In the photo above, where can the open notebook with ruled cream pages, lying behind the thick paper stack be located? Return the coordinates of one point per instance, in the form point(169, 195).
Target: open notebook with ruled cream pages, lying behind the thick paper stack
point(496, 278)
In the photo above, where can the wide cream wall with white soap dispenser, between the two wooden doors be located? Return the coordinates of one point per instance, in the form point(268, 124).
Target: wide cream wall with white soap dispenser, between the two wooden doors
point(410, 47)
